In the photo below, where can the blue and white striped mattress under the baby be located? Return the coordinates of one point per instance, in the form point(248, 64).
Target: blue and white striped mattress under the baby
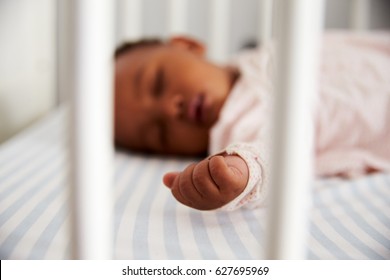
point(348, 219)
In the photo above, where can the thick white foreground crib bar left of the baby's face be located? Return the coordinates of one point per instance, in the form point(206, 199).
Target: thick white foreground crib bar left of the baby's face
point(91, 124)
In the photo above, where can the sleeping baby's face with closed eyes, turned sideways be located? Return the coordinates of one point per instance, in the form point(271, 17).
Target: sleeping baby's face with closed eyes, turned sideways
point(166, 99)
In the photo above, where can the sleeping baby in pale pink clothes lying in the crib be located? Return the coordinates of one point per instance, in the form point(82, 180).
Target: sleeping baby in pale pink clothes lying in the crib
point(170, 100)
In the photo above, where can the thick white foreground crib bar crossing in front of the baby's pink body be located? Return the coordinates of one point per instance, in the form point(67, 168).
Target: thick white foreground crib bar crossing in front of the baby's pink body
point(298, 40)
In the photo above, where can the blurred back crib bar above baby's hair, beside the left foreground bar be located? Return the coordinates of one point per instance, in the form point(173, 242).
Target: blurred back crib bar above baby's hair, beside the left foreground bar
point(129, 20)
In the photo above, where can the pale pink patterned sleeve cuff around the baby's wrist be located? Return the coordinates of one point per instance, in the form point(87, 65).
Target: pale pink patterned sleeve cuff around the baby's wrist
point(256, 190)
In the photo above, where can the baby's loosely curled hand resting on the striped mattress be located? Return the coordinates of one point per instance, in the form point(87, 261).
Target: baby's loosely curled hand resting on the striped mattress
point(210, 183)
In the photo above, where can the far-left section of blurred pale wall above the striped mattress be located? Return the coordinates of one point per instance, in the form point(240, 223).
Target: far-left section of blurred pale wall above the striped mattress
point(27, 62)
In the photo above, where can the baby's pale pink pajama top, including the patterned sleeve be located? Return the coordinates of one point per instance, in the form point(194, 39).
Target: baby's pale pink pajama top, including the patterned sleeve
point(351, 112)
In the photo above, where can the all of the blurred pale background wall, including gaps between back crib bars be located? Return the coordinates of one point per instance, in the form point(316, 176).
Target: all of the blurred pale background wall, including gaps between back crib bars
point(28, 39)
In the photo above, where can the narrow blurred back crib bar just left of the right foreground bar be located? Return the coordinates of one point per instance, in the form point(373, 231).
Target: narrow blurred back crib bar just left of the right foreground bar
point(265, 20)
